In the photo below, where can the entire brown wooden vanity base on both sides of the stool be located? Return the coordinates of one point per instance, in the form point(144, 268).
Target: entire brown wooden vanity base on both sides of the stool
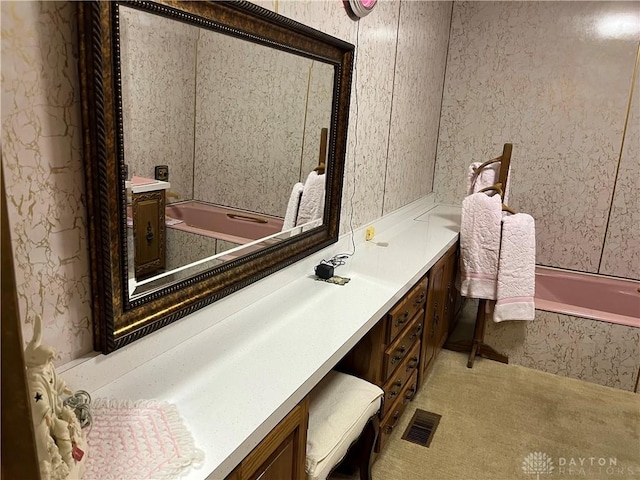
point(396, 354)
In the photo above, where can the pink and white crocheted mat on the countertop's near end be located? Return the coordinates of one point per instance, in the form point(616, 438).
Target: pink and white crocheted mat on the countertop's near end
point(145, 439)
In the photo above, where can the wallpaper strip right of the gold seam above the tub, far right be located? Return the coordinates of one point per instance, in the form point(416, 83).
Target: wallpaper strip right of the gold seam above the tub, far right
point(621, 255)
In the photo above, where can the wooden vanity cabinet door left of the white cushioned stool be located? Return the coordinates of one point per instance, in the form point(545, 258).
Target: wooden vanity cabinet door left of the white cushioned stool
point(282, 453)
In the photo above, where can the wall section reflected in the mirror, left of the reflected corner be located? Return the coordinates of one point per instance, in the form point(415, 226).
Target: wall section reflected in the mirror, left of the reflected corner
point(158, 58)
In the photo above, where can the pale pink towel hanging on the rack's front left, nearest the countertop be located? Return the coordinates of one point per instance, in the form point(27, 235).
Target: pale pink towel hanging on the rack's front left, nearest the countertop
point(480, 245)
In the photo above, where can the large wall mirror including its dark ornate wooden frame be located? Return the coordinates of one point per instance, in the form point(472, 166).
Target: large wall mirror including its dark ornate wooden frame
point(202, 121)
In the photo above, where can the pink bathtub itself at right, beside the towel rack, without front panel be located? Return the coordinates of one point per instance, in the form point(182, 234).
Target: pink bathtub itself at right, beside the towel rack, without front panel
point(590, 296)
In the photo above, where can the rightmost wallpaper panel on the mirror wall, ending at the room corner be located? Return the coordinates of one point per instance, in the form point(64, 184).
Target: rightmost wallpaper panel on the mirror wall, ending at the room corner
point(417, 96)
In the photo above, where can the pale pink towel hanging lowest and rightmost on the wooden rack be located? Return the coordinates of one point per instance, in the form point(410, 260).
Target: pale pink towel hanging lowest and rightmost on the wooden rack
point(516, 269)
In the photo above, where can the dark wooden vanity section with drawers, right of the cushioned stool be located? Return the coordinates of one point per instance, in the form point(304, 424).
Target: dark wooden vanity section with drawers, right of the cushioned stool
point(400, 349)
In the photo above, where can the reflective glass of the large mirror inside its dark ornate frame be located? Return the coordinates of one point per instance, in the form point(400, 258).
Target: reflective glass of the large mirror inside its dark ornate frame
point(238, 124)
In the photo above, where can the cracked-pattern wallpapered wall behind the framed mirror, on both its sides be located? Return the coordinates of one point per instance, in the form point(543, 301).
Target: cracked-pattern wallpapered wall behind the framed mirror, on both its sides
point(42, 139)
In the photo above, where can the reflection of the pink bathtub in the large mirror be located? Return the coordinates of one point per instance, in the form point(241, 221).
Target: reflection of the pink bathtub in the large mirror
point(231, 225)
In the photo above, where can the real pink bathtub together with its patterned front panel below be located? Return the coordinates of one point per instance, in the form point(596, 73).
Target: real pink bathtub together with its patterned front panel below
point(604, 348)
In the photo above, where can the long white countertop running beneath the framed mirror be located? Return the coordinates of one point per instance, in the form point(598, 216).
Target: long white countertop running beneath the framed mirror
point(237, 367)
